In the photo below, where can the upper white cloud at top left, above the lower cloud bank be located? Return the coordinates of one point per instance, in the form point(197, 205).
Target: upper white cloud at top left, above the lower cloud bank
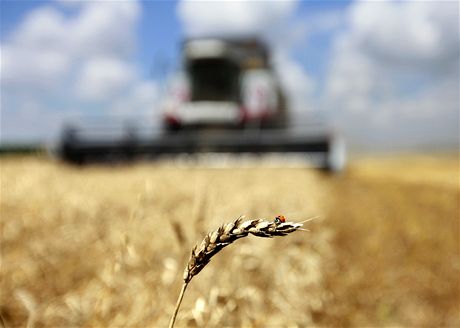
point(47, 44)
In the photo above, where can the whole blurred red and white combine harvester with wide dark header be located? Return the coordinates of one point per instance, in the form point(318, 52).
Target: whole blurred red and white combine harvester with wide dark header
point(226, 100)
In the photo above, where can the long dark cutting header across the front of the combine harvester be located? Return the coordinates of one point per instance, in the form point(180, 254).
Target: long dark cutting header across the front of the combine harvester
point(84, 150)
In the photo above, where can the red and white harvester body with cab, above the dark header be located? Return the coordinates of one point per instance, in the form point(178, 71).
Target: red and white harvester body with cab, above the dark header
point(225, 83)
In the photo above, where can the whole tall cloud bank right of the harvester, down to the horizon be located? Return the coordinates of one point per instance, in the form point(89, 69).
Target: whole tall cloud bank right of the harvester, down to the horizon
point(395, 67)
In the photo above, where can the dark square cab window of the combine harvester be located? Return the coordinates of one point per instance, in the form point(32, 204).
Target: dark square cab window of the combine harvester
point(214, 80)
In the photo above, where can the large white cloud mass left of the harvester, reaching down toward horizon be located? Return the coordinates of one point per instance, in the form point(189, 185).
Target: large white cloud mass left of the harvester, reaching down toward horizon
point(60, 61)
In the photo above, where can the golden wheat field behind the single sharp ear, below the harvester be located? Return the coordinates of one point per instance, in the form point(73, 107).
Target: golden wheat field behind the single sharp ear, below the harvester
point(106, 246)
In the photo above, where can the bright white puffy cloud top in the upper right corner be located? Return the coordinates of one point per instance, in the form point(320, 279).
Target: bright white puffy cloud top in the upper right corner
point(408, 33)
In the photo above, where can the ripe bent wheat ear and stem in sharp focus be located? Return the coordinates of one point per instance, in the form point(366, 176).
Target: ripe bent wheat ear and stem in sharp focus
point(223, 236)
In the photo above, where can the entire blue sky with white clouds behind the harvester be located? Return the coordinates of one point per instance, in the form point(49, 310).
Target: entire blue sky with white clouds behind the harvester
point(385, 73)
